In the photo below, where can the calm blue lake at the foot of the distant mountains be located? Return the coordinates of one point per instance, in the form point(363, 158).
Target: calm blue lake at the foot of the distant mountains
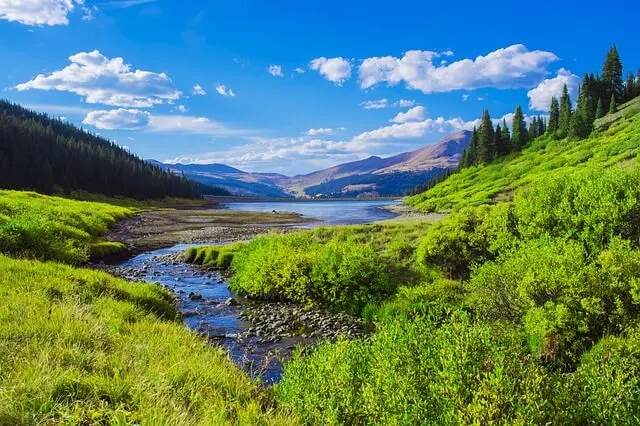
point(325, 212)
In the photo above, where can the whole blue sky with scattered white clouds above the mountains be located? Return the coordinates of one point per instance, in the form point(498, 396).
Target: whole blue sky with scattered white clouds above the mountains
point(296, 86)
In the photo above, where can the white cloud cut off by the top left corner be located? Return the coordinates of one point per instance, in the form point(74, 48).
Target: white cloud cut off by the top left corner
point(38, 12)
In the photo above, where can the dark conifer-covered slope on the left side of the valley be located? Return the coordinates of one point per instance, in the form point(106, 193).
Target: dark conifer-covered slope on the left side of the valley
point(47, 155)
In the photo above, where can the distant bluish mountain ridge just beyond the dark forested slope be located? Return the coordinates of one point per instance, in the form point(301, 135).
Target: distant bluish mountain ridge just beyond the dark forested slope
point(231, 179)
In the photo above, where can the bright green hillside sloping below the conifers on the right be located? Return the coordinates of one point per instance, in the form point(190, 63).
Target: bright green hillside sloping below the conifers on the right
point(616, 141)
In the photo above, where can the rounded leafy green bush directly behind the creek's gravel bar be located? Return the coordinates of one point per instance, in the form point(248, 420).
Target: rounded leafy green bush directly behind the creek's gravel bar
point(340, 274)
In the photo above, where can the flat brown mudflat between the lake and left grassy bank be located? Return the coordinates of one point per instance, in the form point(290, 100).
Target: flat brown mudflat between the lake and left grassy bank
point(156, 229)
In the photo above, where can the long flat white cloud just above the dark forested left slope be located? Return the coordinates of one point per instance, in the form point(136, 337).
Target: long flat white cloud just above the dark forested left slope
point(134, 119)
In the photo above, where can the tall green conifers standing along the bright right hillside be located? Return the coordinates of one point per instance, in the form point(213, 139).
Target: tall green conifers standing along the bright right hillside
point(598, 94)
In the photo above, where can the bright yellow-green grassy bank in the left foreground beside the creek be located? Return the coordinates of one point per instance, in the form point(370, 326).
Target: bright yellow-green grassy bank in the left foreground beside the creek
point(82, 347)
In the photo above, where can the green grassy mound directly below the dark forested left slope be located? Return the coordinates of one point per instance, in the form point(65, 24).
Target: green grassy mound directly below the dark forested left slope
point(54, 228)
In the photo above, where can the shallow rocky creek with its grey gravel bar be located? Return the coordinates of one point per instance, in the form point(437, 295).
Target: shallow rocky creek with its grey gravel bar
point(258, 336)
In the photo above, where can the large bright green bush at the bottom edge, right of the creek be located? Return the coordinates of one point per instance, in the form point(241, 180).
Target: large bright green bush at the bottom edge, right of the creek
point(414, 372)
